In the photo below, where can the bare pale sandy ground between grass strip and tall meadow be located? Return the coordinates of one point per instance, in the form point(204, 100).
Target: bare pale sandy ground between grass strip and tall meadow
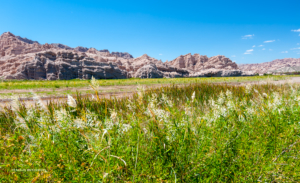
point(106, 91)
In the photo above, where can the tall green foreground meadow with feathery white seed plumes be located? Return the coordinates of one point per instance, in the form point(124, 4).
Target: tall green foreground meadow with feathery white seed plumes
point(201, 132)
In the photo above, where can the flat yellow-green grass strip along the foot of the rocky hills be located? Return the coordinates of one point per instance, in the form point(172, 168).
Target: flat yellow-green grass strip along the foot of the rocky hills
point(57, 84)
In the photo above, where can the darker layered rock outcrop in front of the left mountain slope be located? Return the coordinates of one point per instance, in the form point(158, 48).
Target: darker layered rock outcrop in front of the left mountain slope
point(65, 66)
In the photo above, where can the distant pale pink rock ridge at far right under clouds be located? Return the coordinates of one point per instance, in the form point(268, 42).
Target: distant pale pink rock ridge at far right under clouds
point(270, 66)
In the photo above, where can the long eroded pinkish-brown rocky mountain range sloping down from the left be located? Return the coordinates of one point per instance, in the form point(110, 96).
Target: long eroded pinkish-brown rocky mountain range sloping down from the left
point(22, 58)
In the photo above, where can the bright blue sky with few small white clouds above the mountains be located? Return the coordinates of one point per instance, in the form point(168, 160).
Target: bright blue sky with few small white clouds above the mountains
point(245, 31)
